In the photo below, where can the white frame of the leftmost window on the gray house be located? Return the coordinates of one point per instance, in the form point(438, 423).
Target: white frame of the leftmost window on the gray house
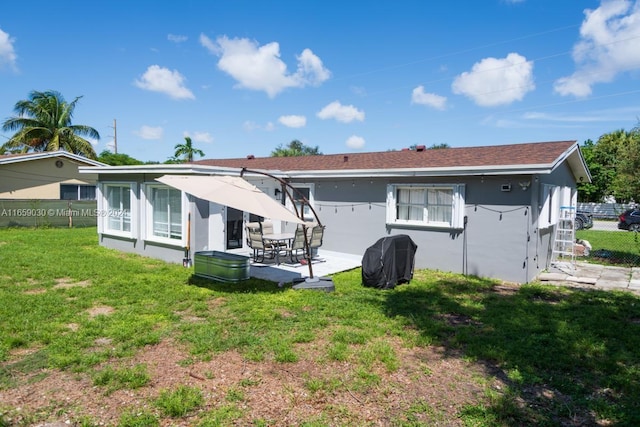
point(106, 212)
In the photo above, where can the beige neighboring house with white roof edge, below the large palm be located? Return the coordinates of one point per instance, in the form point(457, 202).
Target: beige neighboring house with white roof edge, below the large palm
point(48, 175)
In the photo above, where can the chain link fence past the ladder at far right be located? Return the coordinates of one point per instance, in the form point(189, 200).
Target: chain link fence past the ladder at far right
point(607, 243)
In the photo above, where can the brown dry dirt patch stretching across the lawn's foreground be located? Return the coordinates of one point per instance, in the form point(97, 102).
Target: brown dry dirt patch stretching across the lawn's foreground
point(429, 386)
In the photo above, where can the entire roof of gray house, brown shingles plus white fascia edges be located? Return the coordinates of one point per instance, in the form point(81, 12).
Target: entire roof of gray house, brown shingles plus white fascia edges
point(526, 158)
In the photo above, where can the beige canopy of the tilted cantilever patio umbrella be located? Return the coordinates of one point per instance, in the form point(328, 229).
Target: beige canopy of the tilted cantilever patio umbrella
point(231, 191)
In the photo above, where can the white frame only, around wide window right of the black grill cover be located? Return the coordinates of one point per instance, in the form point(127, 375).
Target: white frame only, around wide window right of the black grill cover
point(457, 206)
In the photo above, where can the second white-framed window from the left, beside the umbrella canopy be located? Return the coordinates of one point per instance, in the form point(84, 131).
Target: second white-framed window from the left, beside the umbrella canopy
point(165, 216)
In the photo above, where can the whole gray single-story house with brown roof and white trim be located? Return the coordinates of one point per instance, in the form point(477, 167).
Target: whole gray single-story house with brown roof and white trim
point(487, 211)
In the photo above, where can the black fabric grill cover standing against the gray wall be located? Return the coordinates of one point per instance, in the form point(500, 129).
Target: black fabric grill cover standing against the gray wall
point(389, 262)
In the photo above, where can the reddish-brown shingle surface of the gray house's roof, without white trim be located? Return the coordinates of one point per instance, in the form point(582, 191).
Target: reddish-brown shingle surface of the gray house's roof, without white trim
point(540, 153)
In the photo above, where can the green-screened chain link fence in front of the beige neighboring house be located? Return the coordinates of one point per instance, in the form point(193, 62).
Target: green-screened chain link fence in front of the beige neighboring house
point(48, 213)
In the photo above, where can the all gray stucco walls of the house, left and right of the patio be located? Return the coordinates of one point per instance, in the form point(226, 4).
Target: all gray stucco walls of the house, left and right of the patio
point(500, 239)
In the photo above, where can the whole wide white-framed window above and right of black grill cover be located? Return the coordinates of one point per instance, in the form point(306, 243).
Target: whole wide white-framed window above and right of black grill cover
point(433, 205)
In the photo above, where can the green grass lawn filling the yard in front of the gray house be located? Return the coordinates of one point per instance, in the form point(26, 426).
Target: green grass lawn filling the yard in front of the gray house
point(562, 356)
